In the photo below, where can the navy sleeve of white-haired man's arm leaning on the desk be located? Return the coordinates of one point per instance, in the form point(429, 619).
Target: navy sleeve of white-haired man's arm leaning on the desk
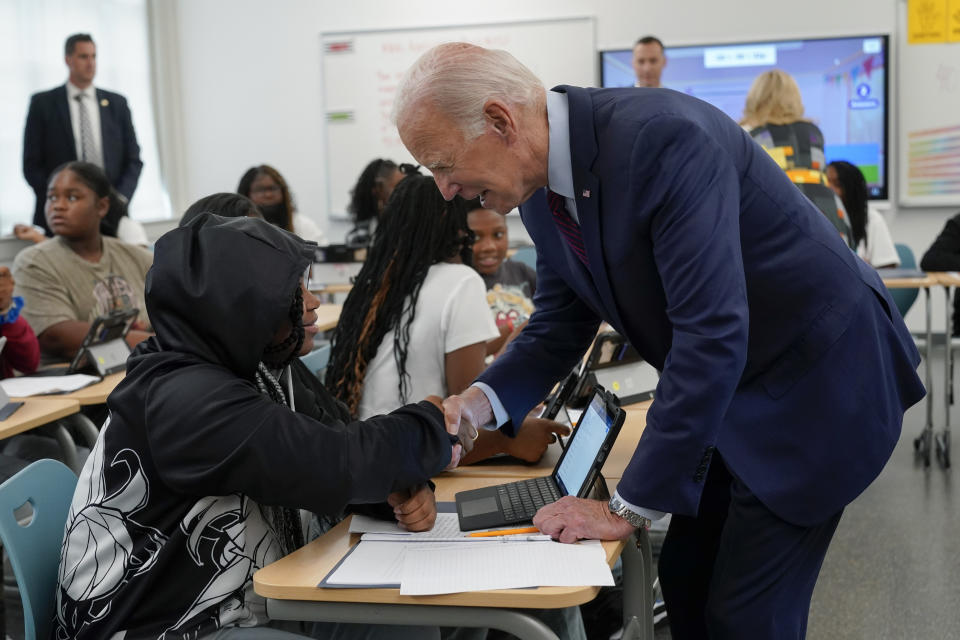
point(693, 193)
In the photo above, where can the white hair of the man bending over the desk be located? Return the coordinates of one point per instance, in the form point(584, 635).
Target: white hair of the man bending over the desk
point(459, 78)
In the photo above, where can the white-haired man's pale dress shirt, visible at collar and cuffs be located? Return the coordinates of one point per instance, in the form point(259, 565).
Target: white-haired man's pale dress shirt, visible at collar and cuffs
point(560, 181)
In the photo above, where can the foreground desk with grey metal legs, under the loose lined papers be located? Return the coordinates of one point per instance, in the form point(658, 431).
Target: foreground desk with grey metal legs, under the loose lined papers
point(290, 587)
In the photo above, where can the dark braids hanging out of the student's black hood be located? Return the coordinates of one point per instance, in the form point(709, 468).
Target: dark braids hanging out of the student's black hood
point(285, 521)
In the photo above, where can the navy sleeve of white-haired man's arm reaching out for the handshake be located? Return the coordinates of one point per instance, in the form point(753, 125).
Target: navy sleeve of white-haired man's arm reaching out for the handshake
point(559, 332)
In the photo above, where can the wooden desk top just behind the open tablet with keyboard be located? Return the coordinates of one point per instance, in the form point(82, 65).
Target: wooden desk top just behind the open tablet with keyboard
point(617, 461)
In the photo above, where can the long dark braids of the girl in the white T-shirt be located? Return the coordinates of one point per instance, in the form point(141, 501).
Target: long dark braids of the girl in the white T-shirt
point(417, 230)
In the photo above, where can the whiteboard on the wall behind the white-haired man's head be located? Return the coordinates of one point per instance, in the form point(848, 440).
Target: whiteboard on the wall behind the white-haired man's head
point(361, 70)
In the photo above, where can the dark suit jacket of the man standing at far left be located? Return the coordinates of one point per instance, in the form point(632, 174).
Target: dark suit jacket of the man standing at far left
point(48, 142)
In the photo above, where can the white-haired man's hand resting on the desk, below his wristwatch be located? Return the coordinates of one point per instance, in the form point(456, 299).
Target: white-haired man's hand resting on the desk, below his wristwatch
point(570, 519)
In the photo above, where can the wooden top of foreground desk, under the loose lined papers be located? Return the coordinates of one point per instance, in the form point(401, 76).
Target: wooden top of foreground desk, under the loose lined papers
point(296, 576)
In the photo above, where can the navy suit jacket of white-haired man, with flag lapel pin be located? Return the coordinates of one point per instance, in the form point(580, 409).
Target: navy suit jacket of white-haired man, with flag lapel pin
point(777, 346)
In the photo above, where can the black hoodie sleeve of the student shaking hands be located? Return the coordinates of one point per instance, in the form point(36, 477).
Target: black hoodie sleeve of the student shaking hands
point(211, 433)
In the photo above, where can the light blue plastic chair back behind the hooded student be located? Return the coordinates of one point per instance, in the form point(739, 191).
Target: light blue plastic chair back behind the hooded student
point(34, 549)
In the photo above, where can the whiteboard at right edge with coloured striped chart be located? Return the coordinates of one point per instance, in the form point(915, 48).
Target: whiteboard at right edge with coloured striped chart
point(929, 122)
